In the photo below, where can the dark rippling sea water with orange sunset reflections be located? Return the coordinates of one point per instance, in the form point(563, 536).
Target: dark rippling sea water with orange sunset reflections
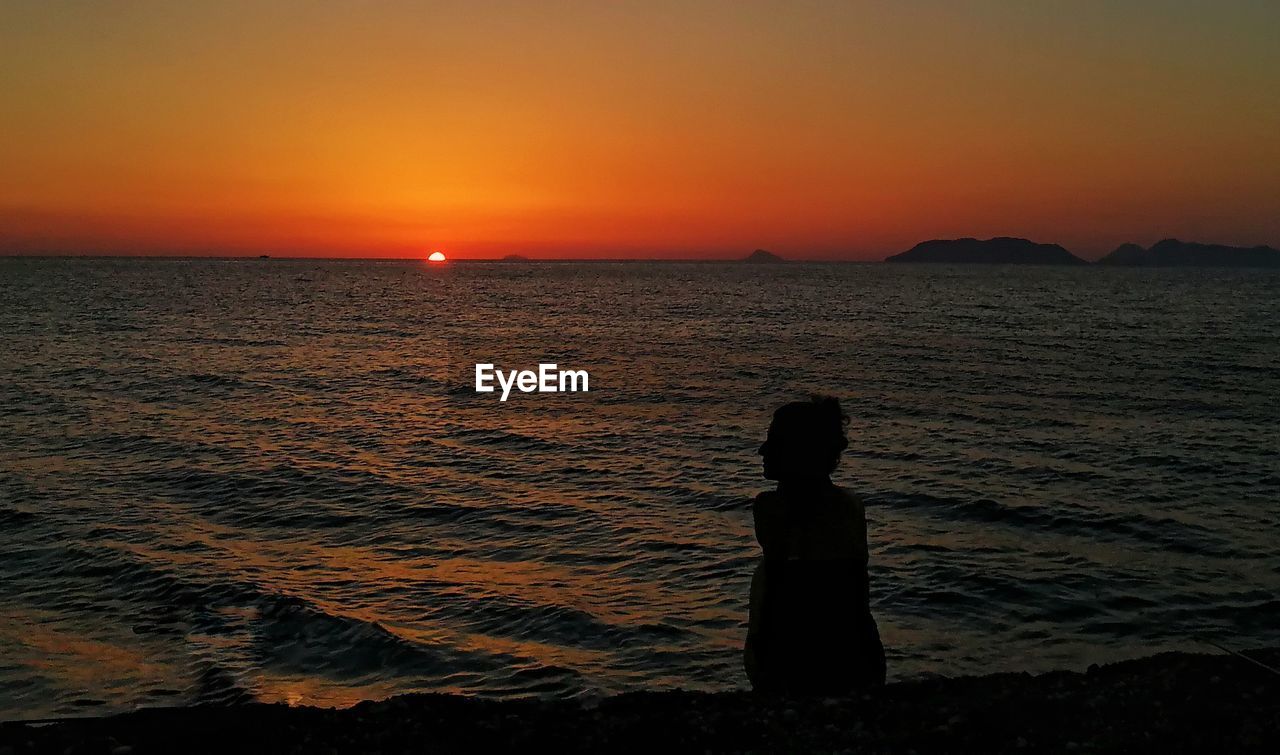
point(272, 479)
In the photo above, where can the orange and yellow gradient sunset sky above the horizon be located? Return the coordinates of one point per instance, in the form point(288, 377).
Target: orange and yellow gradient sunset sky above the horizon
point(634, 130)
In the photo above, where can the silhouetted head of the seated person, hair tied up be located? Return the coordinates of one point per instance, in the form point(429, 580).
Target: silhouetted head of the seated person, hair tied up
point(806, 441)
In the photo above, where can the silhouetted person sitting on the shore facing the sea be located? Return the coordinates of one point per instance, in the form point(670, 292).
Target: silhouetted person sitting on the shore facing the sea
point(811, 629)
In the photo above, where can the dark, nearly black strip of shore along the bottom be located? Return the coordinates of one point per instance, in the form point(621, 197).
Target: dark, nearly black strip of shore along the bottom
point(1169, 703)
